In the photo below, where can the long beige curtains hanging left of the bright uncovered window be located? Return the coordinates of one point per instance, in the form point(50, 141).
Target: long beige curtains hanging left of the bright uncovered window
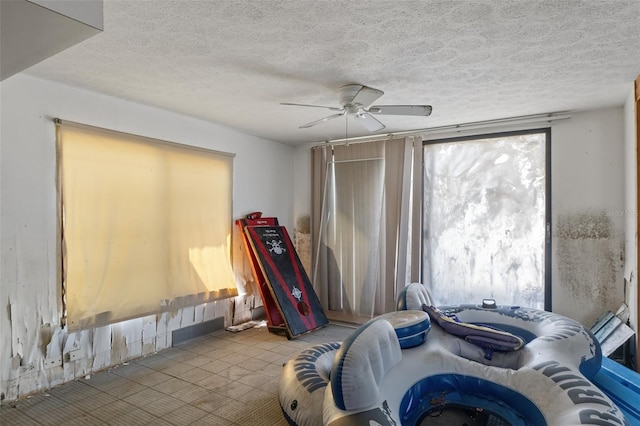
point(357, 205)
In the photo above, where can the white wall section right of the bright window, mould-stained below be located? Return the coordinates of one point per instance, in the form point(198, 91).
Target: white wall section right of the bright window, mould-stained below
point(588, 209)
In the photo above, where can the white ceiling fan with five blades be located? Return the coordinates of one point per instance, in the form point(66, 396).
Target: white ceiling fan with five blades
point(355, 100)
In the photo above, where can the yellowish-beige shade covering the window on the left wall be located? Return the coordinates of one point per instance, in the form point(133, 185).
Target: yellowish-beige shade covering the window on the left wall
point(146, 225)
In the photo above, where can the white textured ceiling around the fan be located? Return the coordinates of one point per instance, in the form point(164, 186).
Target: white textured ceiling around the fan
point(233, 62)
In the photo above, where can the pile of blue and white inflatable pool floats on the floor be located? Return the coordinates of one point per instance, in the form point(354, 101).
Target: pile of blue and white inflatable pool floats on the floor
point(539, 378)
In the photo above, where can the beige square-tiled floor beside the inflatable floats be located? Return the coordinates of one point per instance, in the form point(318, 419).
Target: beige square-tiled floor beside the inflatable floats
point(223, 378)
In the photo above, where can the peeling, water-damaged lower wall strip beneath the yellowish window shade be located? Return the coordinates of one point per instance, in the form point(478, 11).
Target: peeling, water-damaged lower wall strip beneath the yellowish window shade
point(59, 356)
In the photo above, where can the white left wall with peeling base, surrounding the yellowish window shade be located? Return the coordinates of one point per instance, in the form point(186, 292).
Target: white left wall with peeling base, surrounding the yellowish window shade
point(30, 307)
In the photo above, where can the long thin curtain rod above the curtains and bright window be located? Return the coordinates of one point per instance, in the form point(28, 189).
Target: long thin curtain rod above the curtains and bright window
point(513, 121)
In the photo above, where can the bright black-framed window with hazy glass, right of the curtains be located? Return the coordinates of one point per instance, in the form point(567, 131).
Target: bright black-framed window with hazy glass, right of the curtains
point(486, 206)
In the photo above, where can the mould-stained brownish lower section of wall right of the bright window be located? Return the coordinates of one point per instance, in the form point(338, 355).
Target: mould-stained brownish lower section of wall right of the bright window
point(590, 258)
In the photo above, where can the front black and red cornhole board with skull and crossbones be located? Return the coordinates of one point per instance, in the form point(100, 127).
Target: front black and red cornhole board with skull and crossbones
point(286, 279)
